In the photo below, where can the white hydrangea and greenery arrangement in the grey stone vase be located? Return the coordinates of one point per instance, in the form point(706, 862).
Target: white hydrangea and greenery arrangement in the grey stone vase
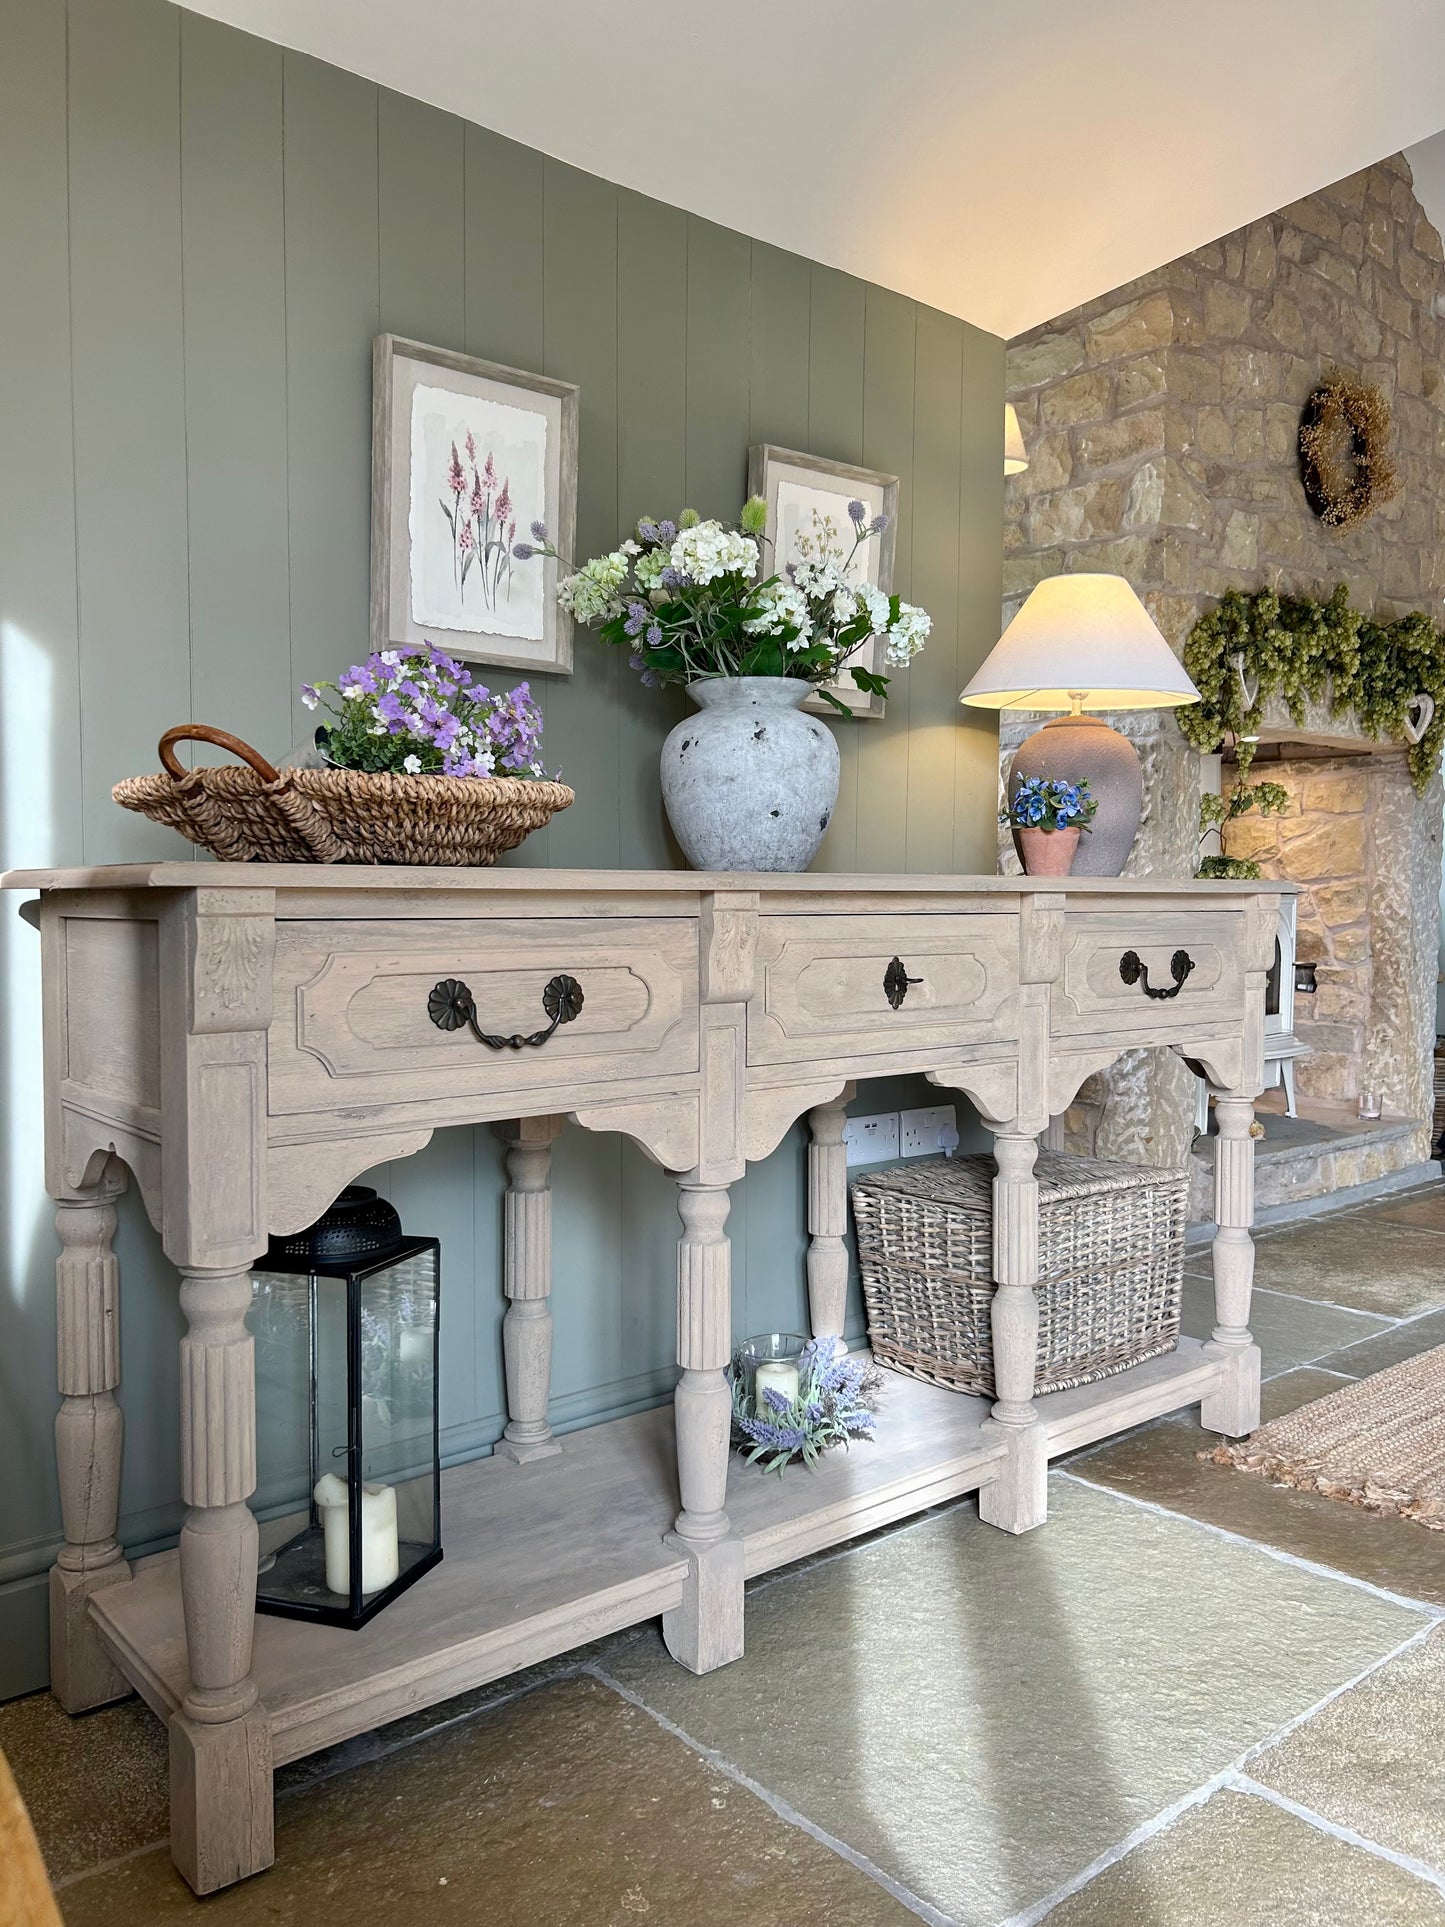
point(687, 602)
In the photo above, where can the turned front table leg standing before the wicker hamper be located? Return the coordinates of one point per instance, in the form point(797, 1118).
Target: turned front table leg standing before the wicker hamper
point(1016, 1500)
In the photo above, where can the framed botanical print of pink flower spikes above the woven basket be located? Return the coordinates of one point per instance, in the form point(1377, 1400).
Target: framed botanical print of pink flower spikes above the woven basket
point(467, 458)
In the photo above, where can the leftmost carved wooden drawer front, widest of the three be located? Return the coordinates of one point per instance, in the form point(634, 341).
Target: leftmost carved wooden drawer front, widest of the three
point(354, 1026)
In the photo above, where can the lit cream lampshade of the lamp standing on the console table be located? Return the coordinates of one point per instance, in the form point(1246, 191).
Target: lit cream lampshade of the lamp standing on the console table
point(1086, 639)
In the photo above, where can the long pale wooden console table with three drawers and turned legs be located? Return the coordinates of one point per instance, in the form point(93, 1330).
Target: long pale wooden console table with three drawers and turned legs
point(248, 1040)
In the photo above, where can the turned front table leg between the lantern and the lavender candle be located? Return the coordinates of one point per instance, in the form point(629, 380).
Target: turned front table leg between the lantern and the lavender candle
point(706, 1631)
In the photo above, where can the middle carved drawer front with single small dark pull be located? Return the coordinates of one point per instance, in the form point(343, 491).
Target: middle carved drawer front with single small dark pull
point(881, 984)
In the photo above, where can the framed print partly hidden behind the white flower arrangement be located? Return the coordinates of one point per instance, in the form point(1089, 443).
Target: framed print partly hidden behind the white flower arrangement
point(795, 487)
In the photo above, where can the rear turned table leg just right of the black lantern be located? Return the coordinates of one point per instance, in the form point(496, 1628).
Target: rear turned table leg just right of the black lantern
point(527, 1282)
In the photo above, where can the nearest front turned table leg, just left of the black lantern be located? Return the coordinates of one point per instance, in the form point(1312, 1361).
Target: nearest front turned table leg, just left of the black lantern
point(221, 1737)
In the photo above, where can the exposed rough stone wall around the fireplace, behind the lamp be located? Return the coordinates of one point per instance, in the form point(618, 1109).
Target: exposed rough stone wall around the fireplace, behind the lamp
point(1163, 431)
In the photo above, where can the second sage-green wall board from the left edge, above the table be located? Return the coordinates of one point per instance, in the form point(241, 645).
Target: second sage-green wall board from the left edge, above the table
point(130, 402)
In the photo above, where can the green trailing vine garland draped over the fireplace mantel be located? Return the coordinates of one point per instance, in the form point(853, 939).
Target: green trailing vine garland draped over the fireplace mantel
point(1309, 652)
